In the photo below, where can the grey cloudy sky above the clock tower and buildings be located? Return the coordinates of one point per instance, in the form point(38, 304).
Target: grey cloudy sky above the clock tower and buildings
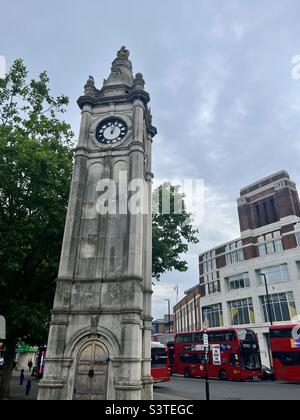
point(220, 77)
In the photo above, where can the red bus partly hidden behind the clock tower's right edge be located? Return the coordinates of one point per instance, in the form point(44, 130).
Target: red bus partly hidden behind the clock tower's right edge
point(160, 367)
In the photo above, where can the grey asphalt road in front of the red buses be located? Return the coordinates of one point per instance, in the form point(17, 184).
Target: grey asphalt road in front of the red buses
point(194, 389)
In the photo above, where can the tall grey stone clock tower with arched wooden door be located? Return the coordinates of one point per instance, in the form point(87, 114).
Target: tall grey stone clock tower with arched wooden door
point(100, 335)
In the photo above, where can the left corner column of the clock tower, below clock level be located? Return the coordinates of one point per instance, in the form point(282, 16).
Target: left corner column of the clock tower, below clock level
point(53, 384)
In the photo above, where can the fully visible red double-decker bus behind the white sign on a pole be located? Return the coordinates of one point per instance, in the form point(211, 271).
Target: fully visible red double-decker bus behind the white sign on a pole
point(233, 354)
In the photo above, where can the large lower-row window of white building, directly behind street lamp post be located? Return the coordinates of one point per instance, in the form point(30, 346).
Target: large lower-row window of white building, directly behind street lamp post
point(282, 307)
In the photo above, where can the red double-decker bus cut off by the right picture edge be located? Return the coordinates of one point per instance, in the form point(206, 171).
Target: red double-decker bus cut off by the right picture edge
point(285, 347)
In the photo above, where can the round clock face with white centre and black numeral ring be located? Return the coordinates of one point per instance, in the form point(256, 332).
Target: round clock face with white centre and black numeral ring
point(111, 131)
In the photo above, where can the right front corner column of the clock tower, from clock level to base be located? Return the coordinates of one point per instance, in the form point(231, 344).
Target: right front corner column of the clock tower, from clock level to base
point(130, 367)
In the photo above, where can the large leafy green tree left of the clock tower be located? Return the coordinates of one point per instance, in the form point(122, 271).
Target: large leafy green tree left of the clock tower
point(35, 172)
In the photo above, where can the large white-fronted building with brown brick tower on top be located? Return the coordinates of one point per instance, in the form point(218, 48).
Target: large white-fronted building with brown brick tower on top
point(231, 284)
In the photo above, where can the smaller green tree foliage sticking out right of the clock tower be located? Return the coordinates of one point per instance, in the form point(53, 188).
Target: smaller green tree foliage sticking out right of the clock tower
point(172, 230)
